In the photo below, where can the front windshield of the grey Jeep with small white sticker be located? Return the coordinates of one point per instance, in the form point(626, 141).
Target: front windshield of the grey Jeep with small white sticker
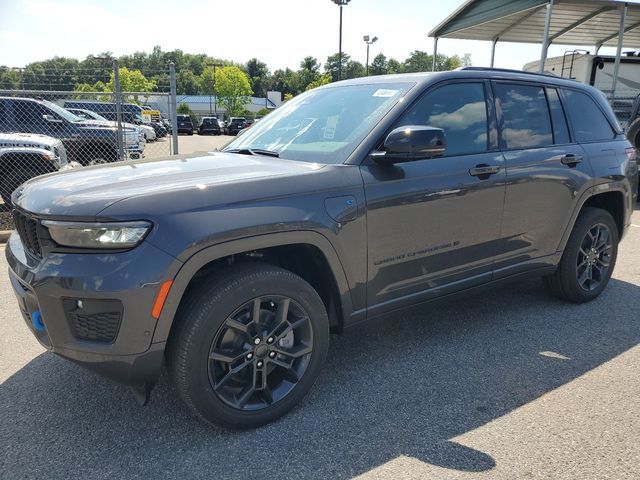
point(323, 125)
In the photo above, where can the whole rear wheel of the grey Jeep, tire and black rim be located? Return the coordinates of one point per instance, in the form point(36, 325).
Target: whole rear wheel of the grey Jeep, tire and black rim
point(588, 259)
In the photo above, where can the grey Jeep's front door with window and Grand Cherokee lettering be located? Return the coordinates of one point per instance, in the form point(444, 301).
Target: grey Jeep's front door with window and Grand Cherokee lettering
point(433, 224)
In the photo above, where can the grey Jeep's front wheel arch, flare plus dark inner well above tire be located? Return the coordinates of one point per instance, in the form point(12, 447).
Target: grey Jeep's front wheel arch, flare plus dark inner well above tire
point(265, 248)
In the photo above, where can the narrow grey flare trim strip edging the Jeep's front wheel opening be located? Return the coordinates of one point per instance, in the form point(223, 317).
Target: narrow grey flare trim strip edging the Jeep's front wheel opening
point(215, 252)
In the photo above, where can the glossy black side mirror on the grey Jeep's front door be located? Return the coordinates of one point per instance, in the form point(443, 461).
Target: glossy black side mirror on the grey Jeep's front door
point(411, 142)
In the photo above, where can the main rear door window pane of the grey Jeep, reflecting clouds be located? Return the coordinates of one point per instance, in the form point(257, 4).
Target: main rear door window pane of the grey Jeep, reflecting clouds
point(525, 116)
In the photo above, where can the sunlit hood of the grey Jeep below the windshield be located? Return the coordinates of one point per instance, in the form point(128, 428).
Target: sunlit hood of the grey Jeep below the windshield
point(85, 192)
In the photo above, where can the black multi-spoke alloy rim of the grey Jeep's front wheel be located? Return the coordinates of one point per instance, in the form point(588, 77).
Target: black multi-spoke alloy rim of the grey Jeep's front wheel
point(260, 352)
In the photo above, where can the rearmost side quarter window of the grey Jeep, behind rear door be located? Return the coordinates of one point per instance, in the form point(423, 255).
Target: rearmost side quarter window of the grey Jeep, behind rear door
point(588, 121)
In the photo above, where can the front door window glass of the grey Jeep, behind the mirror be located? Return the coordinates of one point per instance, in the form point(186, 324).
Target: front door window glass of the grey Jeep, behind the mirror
point(460, 110)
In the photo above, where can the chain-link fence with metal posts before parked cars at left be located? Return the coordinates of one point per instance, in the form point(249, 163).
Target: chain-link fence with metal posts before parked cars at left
point(43, 131)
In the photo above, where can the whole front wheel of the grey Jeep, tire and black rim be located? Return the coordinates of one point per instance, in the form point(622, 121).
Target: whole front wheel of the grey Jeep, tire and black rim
point(248, 346)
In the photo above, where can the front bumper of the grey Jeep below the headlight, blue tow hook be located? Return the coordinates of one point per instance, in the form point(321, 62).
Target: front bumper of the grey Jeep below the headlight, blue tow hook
point(63, 286)
